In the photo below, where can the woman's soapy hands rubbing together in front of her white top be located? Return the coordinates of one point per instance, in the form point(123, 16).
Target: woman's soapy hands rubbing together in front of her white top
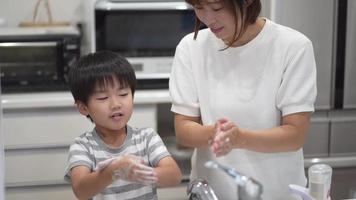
point(225, 137)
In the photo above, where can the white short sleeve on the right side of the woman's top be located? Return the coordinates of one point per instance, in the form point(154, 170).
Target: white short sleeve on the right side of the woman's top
point(297, 92)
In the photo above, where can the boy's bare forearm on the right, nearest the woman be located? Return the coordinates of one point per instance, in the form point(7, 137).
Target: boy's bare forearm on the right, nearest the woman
point(168, 172)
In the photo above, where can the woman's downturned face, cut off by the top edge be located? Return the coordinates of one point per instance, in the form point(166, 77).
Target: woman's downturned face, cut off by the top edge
point(217, 16)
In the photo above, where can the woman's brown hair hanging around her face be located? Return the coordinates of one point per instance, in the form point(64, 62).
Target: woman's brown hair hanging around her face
point(238, 7)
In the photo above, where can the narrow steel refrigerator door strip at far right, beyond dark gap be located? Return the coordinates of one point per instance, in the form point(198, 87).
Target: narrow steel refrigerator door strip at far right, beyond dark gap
point(350, 58)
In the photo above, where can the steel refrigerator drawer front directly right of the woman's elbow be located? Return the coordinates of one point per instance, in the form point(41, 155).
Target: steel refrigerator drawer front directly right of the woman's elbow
point(317, 141)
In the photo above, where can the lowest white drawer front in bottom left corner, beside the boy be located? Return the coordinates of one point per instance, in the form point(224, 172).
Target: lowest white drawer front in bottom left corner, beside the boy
point(57, 192)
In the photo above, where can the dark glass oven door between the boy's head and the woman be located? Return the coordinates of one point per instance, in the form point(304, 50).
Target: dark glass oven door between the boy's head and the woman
point(142, 33)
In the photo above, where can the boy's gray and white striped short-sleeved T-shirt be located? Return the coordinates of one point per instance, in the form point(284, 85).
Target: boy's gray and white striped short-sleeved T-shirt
point(88, 150)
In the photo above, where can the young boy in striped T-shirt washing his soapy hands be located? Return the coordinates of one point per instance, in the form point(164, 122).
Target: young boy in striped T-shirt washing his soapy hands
point(114, 160)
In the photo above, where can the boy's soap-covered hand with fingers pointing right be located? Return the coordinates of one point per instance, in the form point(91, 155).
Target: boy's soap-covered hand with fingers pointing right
point(132, 168)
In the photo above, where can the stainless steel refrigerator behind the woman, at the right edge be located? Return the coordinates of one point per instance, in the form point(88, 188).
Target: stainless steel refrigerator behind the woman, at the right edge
point(330, 25)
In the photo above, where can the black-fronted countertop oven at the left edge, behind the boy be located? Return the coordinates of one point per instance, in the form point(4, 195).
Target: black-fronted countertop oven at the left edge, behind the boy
point(37, 59)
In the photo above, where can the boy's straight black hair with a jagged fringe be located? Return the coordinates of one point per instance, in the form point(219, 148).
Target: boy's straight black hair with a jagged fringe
point(99, 68)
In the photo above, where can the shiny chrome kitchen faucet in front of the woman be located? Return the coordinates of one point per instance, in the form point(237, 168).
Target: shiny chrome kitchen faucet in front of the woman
point(248, 188)
